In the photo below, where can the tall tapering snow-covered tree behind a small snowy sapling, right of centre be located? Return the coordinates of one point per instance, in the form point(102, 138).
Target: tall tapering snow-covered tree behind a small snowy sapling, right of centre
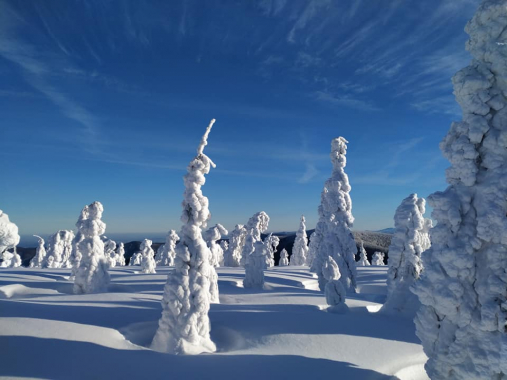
point(333, 231)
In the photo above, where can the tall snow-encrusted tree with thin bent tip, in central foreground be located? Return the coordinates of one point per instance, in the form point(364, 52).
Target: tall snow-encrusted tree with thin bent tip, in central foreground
point(184, 327)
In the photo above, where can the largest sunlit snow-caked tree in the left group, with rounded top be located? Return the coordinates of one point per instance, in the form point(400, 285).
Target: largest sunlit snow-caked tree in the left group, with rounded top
point(91, 275)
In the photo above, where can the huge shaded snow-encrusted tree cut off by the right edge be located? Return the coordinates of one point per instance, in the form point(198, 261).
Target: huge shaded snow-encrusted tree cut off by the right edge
point(462, 320)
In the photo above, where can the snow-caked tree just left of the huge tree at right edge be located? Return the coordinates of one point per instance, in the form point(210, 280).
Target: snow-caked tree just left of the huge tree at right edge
point(409, 241)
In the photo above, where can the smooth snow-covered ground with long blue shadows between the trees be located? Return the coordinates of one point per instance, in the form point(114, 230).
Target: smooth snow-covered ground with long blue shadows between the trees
point(281, 332)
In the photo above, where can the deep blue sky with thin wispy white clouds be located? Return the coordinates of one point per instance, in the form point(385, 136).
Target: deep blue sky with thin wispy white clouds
point(108, 100)
